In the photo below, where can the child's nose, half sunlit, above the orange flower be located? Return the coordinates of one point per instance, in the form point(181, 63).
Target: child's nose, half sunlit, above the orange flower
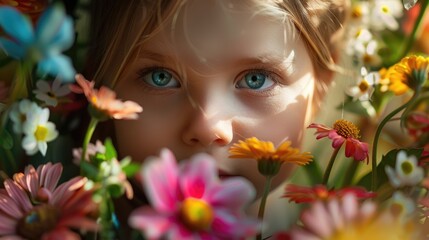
point(207, 132)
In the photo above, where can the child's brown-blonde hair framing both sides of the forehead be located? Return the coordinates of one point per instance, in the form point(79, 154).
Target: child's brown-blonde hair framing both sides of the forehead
point(120, 27)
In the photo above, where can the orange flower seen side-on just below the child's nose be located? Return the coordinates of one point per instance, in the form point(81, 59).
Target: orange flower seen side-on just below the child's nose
point(269, 158)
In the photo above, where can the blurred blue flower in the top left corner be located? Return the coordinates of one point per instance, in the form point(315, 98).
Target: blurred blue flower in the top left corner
point(42, 44)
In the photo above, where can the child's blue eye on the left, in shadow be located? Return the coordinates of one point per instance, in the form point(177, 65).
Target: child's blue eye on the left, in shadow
point(160, 78)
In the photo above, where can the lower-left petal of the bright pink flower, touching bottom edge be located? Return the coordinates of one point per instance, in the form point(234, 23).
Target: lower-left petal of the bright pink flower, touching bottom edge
point(152, 223)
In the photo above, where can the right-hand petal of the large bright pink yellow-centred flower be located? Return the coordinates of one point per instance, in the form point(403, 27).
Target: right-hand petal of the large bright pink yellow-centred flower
point(233, 193)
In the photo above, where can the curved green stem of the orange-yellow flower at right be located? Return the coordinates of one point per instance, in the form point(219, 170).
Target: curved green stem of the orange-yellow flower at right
point(377, 136)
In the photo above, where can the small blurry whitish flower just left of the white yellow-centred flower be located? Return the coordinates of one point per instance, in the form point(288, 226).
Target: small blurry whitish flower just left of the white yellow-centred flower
point(20, 112)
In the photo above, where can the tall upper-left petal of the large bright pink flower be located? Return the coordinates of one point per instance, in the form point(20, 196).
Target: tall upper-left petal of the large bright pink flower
point(160, 176)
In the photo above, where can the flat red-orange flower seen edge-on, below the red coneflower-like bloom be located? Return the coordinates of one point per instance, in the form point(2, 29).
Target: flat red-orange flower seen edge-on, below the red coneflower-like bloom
point(302, 194)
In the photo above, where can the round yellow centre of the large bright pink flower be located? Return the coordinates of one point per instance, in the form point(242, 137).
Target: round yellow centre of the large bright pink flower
point(196, 214)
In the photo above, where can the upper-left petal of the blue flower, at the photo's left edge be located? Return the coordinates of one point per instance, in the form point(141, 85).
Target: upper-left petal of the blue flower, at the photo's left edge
point(16, 25)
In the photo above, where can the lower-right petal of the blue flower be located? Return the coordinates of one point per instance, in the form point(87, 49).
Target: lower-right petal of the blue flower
point(57, 66)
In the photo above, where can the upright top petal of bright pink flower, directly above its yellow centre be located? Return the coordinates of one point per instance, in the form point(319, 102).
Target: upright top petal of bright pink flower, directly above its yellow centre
point(198, 175)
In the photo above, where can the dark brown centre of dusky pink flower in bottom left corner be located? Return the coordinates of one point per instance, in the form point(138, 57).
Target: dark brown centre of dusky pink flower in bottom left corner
point(37, 222)
